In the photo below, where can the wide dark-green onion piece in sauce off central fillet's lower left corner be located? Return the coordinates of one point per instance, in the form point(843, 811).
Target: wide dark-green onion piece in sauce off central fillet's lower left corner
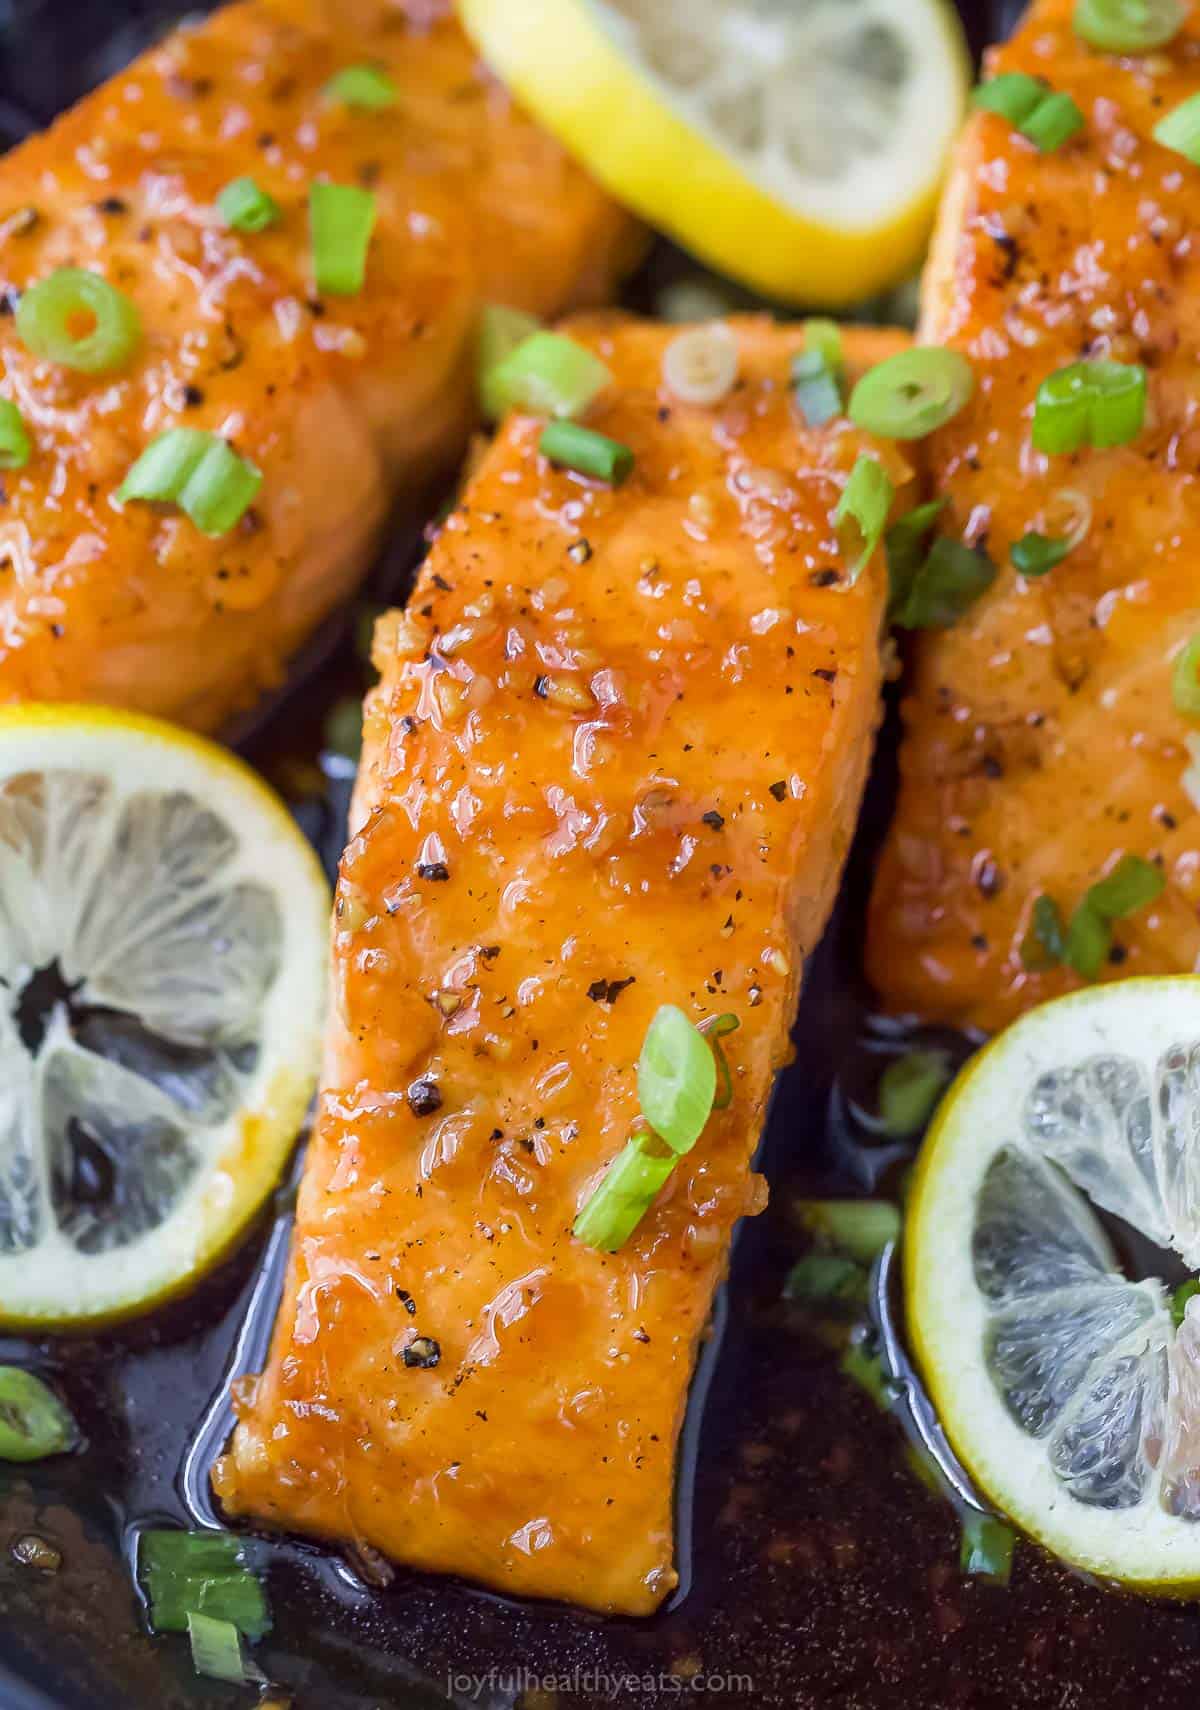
point(187, 1574)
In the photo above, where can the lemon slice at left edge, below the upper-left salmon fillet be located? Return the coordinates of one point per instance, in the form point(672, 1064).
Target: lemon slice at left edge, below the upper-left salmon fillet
point(163, 950)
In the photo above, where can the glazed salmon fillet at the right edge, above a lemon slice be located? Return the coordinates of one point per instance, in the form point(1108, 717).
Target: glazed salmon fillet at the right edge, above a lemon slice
point(1042, 740)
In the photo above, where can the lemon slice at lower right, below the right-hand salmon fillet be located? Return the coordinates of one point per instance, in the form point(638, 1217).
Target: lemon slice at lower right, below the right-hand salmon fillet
point(1061, 1379)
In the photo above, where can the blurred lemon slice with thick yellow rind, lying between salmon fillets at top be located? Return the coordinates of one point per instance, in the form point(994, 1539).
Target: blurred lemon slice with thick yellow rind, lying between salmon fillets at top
point(794, 144)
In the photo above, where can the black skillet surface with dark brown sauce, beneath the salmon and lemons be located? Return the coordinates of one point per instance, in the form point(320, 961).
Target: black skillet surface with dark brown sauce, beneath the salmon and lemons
point(818, 1576)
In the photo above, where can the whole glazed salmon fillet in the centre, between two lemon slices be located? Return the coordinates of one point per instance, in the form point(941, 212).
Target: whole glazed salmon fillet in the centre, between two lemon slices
point(615, 762)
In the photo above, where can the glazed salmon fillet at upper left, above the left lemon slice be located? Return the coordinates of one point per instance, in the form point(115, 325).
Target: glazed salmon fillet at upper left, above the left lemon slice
point(344, 403)
